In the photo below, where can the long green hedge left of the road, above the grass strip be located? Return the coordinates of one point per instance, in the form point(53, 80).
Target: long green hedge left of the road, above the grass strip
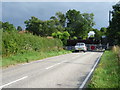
point(13, 42)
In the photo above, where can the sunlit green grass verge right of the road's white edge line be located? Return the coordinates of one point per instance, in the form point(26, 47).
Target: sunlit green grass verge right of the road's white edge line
point(107, 74)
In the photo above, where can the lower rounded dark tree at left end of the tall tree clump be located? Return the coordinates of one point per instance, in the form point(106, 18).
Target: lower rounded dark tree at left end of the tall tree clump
point(38, 27)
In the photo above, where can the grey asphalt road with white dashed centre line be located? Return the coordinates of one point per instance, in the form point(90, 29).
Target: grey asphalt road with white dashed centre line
point(64, 71)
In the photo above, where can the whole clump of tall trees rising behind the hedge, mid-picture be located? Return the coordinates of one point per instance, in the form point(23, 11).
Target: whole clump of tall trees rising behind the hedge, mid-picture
point(75, 23)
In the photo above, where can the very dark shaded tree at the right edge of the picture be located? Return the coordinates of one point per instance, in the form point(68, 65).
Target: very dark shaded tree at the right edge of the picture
point(113, 32)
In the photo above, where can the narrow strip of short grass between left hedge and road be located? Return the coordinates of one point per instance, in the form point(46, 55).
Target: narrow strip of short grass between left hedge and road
point(29, 56)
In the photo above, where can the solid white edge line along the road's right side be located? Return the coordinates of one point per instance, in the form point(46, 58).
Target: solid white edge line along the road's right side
point(88, 76)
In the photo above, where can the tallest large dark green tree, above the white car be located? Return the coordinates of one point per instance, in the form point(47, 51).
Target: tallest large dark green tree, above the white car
point(79, 24)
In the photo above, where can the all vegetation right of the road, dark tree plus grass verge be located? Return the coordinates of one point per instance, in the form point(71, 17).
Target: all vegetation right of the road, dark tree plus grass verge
point(107, 74)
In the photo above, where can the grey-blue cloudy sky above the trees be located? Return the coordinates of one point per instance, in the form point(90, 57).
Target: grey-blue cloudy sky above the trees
point(17, 12)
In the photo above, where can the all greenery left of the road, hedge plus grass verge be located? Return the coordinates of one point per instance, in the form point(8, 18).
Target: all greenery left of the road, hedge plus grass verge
point(25, 47)
